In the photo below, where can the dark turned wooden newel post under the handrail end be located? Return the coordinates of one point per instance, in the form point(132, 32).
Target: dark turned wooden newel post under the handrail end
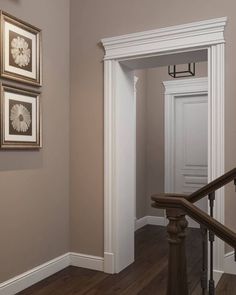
point(177, 270)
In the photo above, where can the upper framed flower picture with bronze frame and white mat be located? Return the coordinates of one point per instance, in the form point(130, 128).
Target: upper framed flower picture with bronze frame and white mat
point(20, 51)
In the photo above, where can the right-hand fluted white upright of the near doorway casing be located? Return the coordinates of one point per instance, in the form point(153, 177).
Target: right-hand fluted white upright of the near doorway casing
point(216, 138)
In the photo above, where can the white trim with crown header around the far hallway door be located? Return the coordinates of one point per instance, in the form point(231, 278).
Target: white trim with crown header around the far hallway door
point(173, 89)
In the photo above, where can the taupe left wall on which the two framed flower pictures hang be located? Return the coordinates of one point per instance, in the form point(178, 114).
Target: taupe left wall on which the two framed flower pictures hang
point(34, 206)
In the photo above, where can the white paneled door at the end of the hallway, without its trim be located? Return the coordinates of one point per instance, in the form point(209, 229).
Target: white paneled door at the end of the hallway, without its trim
point(190, 153)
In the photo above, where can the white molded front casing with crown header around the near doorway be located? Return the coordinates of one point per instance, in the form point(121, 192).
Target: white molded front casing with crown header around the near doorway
point(208, 35)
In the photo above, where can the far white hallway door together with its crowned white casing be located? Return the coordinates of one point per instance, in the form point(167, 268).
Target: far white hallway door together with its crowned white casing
point(186, 137)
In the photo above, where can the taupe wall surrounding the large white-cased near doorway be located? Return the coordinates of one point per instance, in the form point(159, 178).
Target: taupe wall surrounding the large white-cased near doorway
point(92, 20)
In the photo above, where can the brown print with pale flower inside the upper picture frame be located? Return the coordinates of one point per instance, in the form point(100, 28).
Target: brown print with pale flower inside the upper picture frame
point(20, 51)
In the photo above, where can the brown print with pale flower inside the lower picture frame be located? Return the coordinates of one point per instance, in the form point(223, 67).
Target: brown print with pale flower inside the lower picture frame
point(20, 118)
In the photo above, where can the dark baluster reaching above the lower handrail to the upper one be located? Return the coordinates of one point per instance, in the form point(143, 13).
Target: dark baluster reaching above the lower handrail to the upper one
point(211, 198)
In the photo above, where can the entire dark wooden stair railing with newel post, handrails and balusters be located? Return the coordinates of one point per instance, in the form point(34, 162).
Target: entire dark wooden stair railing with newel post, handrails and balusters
point(177, 206)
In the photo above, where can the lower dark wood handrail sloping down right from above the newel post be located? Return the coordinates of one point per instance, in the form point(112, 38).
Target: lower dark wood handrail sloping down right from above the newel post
point(224, 233)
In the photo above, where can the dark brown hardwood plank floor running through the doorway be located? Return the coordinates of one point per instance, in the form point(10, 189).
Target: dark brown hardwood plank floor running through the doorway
point(146, 276)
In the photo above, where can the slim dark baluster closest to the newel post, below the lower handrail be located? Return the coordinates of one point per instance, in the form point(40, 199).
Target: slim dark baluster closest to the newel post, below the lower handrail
point(204, 260)
